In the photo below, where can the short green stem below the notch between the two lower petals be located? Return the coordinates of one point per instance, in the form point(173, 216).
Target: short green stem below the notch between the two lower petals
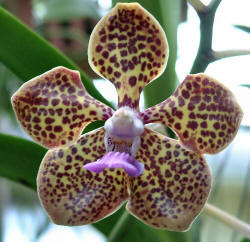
point(121, 225)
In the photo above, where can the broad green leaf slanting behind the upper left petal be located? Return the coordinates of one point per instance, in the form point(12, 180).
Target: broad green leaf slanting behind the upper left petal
point(27, 55)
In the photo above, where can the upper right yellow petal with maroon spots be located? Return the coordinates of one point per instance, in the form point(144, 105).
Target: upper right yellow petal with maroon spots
point(202, 111)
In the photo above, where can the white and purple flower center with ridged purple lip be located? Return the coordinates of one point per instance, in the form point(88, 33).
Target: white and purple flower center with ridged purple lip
point(122, 140)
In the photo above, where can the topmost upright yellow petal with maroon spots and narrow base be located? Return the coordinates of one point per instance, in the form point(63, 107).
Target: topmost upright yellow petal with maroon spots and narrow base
point(129, 48)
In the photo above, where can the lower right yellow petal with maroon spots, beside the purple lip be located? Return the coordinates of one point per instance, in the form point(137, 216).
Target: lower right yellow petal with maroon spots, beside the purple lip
point(174, 185)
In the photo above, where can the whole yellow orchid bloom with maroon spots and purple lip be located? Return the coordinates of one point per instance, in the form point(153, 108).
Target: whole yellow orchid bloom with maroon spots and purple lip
point(82, 179)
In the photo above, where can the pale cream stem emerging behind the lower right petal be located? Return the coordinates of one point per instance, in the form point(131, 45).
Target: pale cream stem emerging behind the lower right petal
point(227, 219)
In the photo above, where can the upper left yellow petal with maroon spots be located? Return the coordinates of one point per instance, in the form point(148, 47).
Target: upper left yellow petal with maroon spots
point(54, 107)
